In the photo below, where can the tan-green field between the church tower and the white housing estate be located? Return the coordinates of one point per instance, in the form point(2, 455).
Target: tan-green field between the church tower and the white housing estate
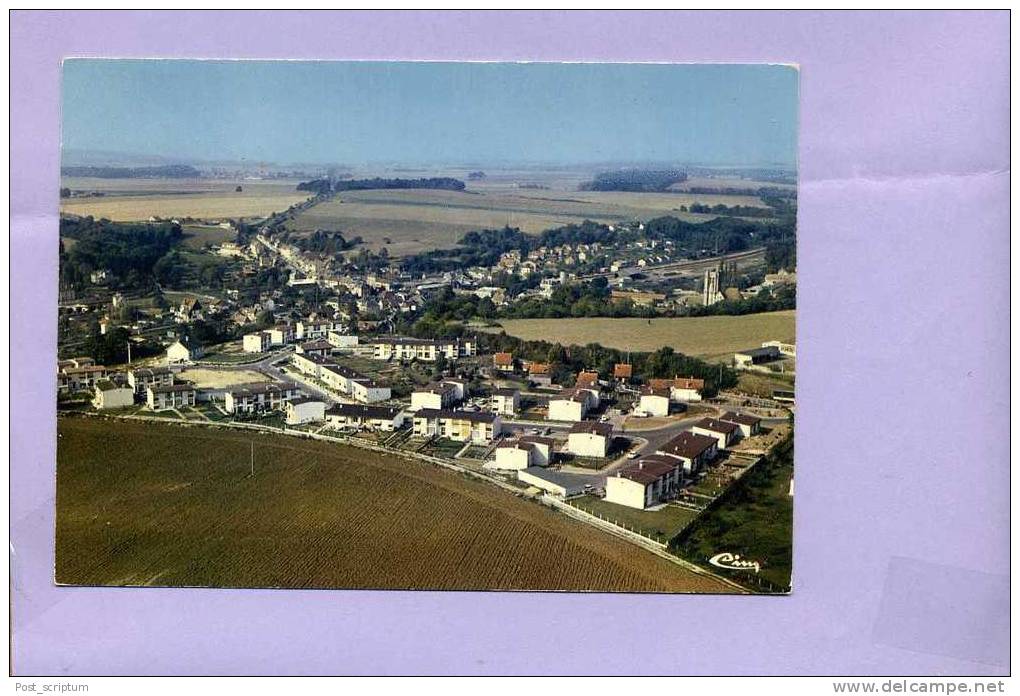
point(708, 337)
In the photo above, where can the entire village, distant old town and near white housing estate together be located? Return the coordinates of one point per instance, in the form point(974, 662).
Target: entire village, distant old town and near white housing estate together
point(322, 359)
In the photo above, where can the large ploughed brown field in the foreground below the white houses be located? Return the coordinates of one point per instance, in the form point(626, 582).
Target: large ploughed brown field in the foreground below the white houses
point(177, 508)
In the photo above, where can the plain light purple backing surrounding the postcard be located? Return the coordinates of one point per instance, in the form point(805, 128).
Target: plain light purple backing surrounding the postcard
point(903, 391)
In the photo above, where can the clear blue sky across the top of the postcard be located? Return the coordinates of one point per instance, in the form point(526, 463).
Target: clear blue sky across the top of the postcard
point(417, 114)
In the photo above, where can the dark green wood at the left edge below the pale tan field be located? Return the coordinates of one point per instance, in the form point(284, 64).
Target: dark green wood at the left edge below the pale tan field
point(129, 251)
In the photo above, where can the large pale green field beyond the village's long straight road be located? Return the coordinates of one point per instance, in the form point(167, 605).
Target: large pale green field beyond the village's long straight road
point(417, 221)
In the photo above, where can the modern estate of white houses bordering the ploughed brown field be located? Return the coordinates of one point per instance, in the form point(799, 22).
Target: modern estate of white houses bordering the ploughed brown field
point(610, 441)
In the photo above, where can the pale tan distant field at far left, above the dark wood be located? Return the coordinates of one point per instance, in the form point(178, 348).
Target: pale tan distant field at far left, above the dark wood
point(138, 200)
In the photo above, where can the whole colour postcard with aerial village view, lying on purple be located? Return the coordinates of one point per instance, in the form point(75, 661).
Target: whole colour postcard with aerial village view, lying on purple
point(427, 326)
